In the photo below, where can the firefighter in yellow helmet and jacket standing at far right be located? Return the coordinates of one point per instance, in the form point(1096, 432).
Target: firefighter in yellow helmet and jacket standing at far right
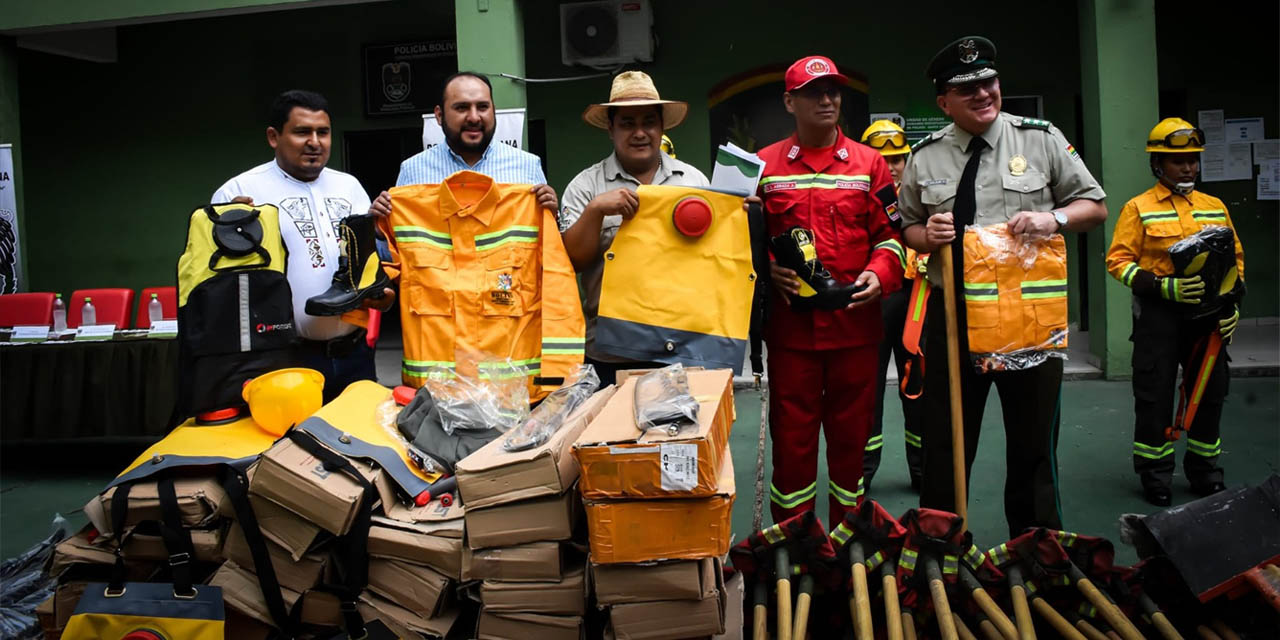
point(1164, 333)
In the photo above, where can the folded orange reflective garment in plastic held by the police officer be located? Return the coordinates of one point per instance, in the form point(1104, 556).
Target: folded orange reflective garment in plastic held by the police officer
point(1014, 292)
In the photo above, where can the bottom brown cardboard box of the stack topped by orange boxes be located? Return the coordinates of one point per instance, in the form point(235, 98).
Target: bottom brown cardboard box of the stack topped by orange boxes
point(670, 619)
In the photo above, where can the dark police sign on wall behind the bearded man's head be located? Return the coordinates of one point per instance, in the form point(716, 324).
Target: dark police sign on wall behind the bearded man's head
point(405, 77)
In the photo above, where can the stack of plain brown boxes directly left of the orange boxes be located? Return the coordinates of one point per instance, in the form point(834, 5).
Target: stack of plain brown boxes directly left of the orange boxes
point(524, 536)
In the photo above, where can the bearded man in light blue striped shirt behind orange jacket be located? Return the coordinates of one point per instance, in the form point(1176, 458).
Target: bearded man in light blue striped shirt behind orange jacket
point(467, 116)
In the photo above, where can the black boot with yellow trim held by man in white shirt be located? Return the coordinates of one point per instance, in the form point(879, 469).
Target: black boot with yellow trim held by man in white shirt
point(360, 273)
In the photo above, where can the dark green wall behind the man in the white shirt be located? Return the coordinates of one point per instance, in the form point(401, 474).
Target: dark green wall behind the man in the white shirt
point(118, 156)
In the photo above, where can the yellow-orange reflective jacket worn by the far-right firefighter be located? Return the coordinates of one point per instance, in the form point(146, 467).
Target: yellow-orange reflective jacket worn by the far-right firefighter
point(1154, 222)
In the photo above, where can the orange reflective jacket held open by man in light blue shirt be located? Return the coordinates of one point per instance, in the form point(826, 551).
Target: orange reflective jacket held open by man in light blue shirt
point(483, 272)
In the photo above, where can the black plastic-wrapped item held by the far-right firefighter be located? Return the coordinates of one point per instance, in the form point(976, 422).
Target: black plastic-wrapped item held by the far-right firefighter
point(1210, 254)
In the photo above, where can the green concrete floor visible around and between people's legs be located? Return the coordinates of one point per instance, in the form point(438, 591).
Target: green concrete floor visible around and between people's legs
point(1098, 484)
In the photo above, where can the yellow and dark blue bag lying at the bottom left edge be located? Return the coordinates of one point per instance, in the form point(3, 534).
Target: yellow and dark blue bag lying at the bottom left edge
point(147, 611)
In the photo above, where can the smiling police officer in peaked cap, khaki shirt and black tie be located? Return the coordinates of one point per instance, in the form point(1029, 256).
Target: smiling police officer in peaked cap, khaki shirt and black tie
point(988, 168)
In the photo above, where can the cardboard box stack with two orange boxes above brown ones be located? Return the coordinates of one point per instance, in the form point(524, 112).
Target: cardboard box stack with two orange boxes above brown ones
point(659, 511)
